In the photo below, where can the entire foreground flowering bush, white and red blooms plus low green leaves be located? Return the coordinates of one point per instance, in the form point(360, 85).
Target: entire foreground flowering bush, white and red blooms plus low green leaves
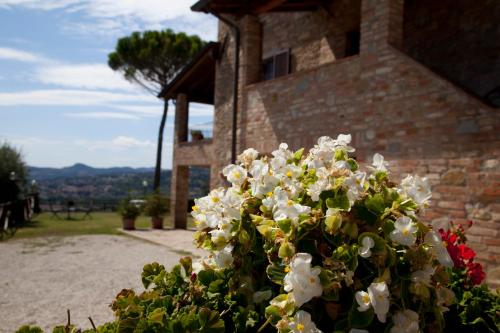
point(309, 244)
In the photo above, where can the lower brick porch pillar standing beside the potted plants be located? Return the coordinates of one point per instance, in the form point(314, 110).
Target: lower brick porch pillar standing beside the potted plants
point(179, 196)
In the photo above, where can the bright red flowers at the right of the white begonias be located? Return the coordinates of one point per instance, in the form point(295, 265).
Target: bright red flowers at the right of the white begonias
point(462, 255)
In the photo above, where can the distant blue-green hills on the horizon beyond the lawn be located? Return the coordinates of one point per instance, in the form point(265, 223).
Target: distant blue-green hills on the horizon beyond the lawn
point(83, 183)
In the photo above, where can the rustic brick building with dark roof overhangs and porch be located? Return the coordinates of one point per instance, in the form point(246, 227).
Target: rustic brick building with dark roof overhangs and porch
point(415, 80)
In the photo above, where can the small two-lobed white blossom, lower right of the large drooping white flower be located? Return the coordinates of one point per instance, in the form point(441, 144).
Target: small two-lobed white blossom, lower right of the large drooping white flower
point(378, 297)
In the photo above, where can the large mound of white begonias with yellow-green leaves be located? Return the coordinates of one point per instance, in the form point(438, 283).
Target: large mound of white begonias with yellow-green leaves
point(325, 245)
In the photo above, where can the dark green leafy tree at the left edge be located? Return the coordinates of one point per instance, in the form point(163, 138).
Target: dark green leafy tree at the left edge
point(13, 173)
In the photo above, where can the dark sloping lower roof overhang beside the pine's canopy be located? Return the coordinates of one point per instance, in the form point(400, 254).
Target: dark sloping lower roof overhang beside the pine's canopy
point(197, 79)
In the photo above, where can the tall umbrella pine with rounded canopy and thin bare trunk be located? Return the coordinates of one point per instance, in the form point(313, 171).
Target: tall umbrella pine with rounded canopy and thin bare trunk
point(152, 59)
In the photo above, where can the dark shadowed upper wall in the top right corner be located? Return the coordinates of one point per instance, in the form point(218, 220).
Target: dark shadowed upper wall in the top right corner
point(458, 39)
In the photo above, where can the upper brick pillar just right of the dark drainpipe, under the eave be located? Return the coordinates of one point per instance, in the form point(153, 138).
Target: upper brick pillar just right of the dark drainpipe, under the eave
point(251, 49)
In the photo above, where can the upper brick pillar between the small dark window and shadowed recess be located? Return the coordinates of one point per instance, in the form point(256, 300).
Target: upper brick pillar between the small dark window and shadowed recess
point(381, 25)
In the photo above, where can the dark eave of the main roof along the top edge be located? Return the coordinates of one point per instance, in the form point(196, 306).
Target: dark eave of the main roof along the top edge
point(256, 7)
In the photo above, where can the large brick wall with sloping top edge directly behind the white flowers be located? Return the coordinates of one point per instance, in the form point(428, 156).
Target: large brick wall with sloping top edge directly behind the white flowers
point(396, 107)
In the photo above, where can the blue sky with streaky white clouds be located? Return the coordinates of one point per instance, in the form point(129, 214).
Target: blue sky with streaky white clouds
point(60, 104)
